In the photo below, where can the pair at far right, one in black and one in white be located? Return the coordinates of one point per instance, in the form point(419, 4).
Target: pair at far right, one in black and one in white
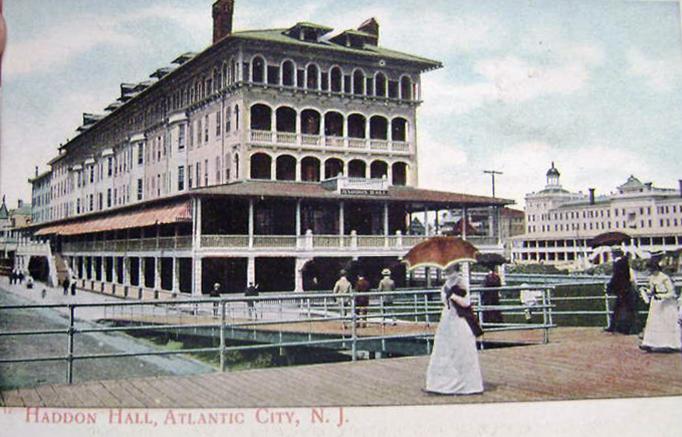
point(662, 331)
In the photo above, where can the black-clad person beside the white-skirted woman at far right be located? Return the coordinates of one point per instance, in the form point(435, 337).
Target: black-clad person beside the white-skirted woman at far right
point(624, 318)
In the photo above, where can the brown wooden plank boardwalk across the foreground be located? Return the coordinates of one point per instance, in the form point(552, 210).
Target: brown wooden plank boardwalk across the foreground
point(580, 363)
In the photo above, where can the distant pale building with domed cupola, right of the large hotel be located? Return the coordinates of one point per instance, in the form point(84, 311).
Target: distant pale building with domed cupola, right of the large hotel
point(560, 223)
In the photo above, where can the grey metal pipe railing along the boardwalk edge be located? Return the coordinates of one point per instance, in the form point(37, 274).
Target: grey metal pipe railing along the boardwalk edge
point(314, 316)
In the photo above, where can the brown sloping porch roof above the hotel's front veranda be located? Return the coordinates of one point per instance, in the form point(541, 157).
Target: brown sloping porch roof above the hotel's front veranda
point(314, 190)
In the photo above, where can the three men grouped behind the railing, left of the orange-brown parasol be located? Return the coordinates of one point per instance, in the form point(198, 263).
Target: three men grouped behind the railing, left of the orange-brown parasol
point(344, 287)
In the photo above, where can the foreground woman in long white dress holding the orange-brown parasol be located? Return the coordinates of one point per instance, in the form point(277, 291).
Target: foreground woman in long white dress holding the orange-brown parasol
point(454, 368)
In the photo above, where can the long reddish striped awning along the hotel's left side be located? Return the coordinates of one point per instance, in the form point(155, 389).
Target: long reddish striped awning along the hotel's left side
point(150, 216)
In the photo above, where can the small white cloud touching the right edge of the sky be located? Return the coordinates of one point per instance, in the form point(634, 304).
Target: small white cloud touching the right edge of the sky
point(660, 74)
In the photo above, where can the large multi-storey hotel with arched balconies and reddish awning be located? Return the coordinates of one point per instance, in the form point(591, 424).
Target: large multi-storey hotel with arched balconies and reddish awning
point(274, 156)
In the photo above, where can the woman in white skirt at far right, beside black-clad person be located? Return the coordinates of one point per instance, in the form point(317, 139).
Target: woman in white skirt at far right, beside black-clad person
point(662, 331)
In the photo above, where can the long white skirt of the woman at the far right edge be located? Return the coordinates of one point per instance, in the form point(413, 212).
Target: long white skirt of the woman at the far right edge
point(662, 330)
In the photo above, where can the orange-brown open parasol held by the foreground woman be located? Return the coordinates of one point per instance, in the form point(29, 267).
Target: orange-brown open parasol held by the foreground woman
point(440, 252)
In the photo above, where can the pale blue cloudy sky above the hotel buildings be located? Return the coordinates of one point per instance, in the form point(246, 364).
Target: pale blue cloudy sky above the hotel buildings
point(595, 86)
